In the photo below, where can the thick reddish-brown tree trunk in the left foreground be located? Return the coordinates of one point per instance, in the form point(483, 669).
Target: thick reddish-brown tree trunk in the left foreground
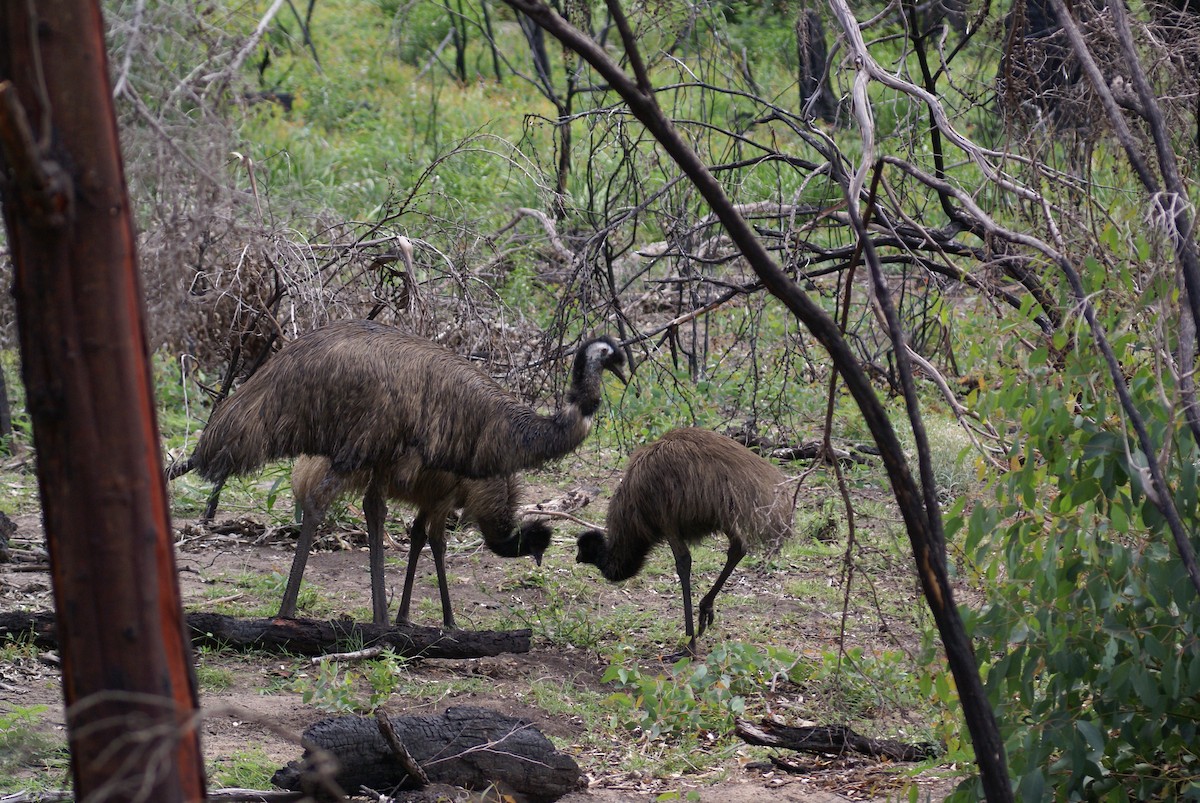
point(127, 661)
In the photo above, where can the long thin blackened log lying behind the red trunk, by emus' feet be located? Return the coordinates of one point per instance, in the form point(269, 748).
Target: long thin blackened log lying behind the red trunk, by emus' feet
point(305, 637)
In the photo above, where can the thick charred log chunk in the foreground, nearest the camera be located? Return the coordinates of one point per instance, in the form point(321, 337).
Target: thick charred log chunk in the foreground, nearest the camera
point(469, 747)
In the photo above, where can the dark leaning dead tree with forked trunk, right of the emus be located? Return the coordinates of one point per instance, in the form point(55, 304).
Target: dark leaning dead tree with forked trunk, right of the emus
point(917, 500)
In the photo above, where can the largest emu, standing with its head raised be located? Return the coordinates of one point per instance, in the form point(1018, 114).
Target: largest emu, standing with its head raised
point(387, 406)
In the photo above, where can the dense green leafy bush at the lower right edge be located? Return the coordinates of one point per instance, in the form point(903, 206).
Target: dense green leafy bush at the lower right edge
point(1089, 636)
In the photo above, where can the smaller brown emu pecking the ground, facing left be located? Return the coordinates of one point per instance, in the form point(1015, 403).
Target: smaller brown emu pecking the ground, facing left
point(686, 487)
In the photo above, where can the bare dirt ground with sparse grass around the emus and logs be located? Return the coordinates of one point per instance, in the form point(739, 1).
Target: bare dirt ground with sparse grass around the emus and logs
point(256, 706)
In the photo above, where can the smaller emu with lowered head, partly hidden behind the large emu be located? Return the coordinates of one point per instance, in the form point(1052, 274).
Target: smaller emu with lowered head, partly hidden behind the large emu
point(490, 502)
